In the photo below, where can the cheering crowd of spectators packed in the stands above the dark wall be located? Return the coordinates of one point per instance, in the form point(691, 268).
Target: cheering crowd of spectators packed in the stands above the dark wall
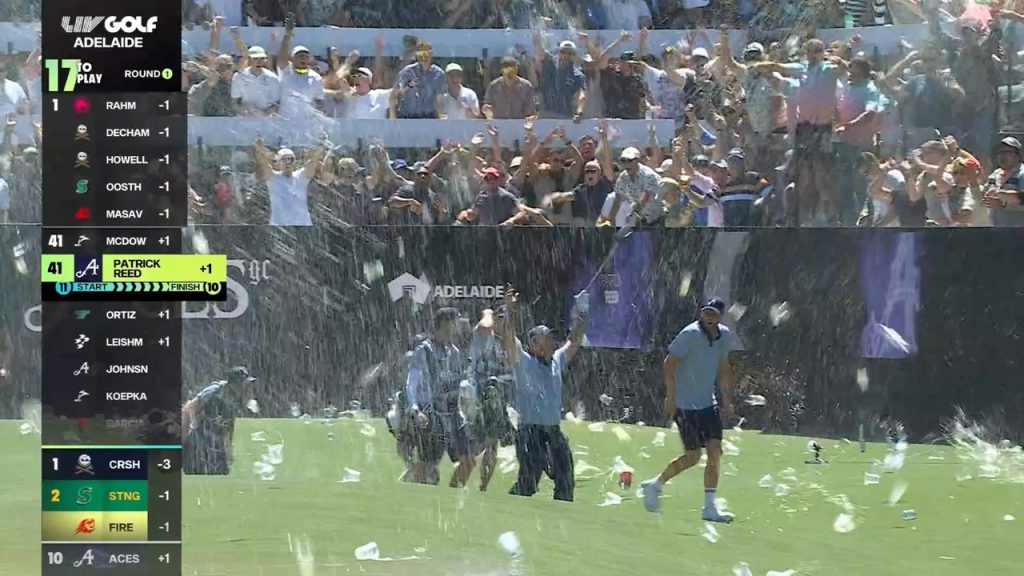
point(787, 133)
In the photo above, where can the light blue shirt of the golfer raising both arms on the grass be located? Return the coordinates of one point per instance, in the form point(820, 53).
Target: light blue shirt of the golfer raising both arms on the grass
point(539, 389)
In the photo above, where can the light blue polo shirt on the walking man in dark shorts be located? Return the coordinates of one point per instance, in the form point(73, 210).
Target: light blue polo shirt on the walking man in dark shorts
point(697, 371)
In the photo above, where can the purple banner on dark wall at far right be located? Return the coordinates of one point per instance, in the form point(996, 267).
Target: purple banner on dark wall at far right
point(890, 279)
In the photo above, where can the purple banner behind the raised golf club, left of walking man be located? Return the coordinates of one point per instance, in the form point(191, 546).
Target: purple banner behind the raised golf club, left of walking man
point(622, 306)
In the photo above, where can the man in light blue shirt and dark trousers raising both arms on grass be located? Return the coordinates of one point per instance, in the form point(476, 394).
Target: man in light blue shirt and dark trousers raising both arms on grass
point(540, 445)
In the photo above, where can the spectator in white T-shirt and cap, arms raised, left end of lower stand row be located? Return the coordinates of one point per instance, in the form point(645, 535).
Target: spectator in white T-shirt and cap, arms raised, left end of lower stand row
point(289, 187)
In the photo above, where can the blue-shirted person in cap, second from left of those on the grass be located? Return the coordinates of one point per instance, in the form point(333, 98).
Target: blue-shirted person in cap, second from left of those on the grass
point(436, 374)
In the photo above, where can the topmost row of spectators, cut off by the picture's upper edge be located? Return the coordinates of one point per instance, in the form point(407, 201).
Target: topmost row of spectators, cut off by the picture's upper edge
point(585, 15)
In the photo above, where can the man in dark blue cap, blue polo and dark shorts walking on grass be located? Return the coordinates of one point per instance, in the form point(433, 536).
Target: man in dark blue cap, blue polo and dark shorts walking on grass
point(698, 363)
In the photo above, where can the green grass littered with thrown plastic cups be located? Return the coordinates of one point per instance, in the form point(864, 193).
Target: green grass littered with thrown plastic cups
point(241, 526)
